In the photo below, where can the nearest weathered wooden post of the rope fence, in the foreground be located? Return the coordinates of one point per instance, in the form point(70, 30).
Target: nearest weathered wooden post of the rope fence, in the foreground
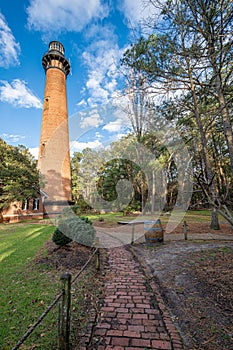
point(64, 313)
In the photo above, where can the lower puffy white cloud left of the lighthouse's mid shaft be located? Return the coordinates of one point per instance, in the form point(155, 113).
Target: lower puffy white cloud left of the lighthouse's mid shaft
point(18, 94)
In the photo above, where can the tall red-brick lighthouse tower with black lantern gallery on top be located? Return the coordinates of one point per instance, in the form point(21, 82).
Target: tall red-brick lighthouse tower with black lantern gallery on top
point(54, 156)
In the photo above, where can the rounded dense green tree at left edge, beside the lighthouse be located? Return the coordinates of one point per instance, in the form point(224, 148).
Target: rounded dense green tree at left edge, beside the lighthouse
point(19, 177)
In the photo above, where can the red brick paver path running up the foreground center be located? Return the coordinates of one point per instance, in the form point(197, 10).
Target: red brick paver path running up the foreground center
point(133, 315)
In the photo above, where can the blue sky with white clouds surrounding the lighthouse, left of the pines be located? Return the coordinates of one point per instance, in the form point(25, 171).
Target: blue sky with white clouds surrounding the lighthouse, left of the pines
point(94, 33)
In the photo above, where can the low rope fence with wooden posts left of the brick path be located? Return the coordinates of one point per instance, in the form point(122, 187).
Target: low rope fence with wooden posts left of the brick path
point(64, 307)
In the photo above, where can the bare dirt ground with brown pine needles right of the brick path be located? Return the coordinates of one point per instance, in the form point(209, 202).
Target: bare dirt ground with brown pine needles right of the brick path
point(196, 282)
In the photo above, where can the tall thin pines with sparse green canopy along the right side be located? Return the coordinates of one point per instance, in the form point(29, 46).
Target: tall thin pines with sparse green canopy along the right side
point(187, 60)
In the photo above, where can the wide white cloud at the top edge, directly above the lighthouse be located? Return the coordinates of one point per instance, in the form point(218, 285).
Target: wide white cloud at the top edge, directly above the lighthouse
point(62, 15)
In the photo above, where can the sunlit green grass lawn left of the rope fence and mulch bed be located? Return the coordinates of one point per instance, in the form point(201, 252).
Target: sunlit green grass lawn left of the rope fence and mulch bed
point(25, 288)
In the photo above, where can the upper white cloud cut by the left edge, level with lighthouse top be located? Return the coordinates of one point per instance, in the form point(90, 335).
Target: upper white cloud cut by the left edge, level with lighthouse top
point(9, 48)
